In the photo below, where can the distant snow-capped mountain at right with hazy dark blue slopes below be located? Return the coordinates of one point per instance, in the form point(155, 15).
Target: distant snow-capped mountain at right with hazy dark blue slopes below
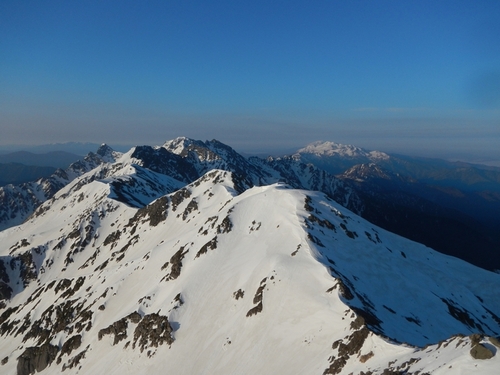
point(451, 207)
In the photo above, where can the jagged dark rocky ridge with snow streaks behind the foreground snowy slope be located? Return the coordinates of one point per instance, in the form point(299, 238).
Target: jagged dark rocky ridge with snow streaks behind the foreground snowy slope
point(182, 159)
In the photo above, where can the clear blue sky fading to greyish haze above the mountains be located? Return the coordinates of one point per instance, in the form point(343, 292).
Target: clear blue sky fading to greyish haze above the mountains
point(420, 77)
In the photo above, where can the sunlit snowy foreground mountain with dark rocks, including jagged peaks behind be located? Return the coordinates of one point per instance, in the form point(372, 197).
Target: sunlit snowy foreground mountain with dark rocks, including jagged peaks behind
point(225, 275)
